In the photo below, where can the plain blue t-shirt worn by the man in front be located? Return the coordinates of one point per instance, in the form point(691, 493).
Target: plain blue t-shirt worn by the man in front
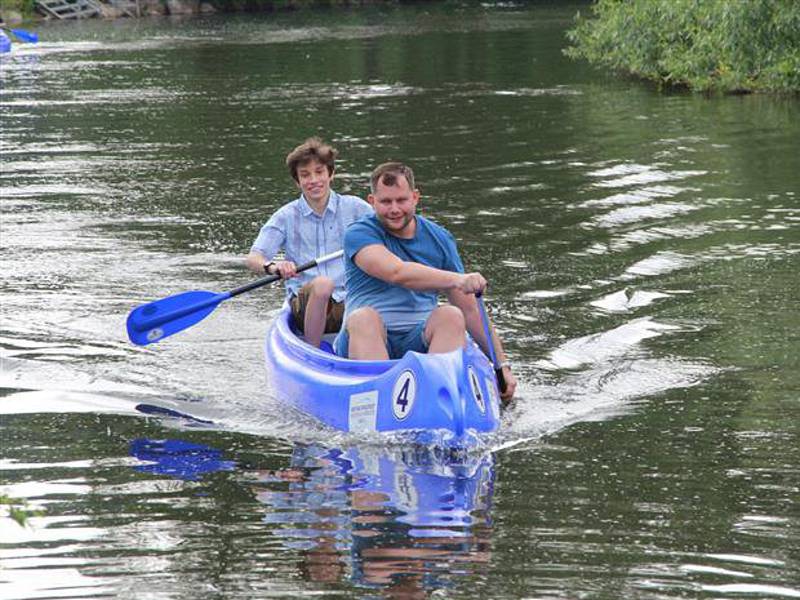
point(400, 308)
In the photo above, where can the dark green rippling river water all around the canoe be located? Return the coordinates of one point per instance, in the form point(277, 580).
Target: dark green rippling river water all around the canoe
point(642, 249)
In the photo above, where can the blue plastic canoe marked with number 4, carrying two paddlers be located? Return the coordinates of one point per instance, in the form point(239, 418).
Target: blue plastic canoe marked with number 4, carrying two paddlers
point(455, 392)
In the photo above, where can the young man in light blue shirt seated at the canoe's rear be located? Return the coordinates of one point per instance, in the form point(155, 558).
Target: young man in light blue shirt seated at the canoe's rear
point(308, 227)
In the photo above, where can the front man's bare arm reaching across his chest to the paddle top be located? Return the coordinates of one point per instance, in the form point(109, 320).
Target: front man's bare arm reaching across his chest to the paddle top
point(377, 261)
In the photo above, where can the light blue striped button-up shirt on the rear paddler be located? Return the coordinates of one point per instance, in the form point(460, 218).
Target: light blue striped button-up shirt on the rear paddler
point(304, 235)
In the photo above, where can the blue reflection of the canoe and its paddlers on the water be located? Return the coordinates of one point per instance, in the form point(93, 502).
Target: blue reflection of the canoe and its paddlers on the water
point(407, 521)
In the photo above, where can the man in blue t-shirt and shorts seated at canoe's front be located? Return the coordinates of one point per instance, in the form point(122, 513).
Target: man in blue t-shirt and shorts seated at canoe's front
point(396, 263)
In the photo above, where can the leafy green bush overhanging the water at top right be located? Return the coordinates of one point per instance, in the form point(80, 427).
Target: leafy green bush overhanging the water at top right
point(707, 45)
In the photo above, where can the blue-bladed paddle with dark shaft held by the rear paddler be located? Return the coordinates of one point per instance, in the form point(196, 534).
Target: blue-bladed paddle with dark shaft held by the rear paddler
point(156, 320)
